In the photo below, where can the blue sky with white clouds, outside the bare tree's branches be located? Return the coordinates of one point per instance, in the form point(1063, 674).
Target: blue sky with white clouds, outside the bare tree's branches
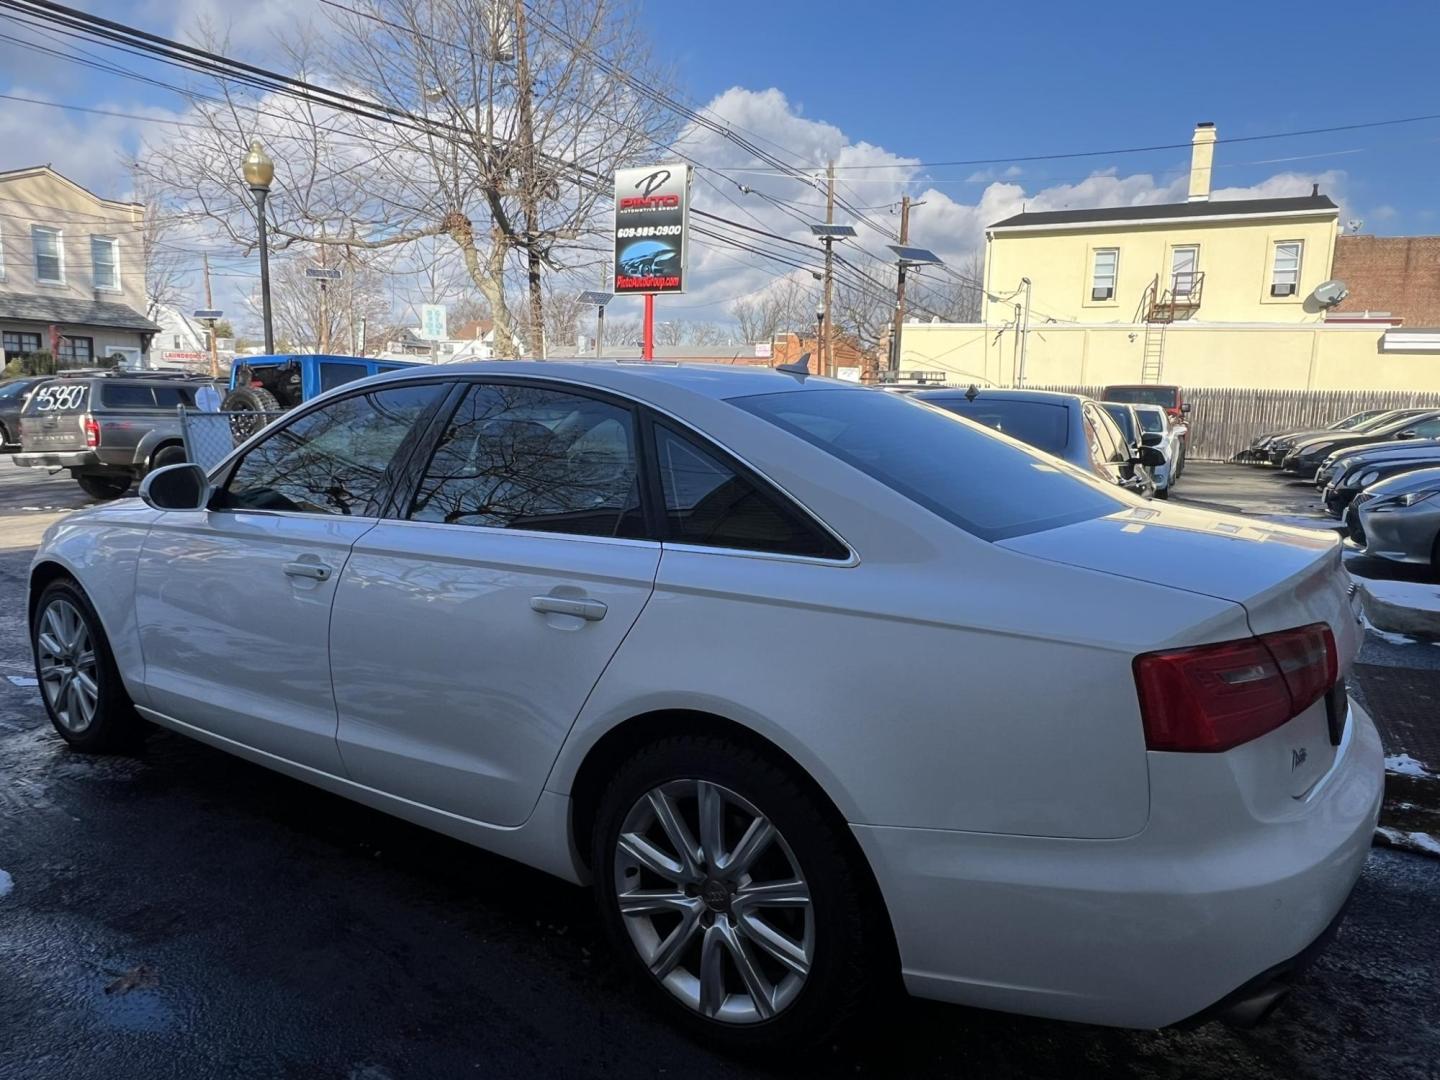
point(924, 83)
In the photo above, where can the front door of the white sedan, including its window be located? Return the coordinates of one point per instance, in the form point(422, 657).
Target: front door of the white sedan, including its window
point(234, 603)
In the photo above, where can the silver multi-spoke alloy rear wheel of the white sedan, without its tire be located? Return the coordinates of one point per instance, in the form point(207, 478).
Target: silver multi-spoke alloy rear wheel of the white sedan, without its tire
point(715, 902)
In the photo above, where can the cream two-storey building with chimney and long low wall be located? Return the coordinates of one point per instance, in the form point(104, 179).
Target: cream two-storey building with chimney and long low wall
point(1203, 293)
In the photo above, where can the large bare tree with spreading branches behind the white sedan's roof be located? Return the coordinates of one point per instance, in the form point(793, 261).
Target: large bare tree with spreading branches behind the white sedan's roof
point(454, 163)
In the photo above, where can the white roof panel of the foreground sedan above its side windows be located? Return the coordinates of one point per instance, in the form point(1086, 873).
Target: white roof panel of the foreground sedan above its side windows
point(634, 377)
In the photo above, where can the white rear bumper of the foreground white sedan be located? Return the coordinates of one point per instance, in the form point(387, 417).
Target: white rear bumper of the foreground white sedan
point(1141, 932)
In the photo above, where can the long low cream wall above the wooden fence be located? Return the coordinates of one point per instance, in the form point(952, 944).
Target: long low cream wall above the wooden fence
point(1295, 358)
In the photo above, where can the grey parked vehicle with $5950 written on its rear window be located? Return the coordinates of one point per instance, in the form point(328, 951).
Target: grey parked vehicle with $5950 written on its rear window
point(106, 430)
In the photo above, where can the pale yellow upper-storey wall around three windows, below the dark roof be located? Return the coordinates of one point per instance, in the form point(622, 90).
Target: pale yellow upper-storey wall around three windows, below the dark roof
point(1235, 257)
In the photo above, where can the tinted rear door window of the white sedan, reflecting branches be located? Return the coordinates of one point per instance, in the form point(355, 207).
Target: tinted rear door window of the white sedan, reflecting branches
point(522, 457)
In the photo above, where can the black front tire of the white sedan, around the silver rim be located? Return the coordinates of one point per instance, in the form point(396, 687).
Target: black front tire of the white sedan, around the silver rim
point(114, 725)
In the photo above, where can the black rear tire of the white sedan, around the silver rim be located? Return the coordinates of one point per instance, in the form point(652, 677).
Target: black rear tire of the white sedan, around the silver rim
point(852, 940)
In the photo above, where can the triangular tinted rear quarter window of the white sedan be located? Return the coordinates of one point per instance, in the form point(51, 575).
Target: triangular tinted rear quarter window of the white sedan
point(712, 505)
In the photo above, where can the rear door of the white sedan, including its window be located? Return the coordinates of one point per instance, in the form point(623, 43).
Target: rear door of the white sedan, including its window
point(470, 627)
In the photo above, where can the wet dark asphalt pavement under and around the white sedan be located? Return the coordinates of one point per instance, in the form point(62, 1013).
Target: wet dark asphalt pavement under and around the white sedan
point(181, 914)
